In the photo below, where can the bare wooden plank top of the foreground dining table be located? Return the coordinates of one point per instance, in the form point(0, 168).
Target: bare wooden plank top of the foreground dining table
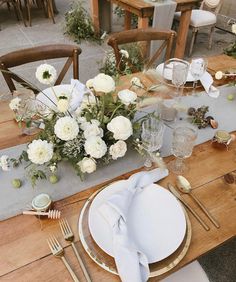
point(24, 253)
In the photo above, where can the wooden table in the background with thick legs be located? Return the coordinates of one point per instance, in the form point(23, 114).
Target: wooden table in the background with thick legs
point(144, 11)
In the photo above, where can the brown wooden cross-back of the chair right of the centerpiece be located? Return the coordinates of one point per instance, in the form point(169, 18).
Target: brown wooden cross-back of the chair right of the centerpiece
point(147, 34)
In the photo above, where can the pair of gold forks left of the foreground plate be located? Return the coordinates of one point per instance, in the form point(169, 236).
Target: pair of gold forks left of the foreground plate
point(58, 251)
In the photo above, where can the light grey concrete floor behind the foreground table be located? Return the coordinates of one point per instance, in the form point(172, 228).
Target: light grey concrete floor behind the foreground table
point(14, 35)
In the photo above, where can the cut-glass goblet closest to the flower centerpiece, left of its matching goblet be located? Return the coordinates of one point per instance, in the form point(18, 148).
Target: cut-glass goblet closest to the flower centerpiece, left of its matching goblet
point(152, 137)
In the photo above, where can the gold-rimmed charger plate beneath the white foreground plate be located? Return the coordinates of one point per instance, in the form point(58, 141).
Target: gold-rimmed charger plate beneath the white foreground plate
point(108, 263)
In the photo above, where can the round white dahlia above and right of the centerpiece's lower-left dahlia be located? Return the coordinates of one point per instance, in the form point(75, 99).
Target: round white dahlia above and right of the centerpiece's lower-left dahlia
point(66, 128)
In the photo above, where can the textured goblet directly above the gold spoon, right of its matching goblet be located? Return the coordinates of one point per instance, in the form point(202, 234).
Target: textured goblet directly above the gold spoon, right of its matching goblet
point(184, 137)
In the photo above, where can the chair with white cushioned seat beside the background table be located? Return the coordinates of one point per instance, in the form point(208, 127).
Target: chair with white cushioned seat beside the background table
point(205, 16)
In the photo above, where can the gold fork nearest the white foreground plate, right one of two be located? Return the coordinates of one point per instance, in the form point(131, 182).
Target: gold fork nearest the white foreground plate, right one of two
point(69, 236)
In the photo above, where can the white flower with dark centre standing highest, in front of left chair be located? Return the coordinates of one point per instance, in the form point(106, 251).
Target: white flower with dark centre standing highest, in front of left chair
point(46, 74)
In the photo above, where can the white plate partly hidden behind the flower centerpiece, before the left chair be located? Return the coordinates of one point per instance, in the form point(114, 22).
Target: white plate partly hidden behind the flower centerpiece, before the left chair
point(50, 93)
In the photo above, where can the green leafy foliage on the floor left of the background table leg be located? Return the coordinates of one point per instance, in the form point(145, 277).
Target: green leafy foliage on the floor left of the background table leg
point(78, 24)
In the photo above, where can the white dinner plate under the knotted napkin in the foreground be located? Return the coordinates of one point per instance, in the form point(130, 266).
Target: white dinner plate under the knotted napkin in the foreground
point(156, 221)
